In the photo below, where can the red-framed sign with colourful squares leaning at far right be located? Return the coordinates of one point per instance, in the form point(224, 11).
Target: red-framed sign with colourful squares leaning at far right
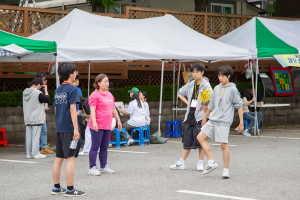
point(282, 81)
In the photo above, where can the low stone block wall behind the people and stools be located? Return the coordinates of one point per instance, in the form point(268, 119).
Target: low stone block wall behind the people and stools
point(12, 118)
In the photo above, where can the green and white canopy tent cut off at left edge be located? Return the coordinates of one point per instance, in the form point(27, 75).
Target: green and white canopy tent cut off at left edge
point(15, 48)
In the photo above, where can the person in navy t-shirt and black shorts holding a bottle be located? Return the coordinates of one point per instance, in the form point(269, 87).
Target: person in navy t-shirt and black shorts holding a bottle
point(66, 97)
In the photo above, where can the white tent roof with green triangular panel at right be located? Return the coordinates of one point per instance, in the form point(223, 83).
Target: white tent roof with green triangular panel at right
point(266, 37)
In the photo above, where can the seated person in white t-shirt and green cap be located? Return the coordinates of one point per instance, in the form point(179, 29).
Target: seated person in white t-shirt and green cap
point(137, 114)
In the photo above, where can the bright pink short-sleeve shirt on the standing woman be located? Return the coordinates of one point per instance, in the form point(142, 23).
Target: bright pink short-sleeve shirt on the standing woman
point(104, 107)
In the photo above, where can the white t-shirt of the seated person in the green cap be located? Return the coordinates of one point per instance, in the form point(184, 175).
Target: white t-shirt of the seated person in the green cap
point(137, 115)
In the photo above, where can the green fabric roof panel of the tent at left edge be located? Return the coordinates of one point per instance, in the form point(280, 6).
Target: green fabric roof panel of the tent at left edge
point(35, 46)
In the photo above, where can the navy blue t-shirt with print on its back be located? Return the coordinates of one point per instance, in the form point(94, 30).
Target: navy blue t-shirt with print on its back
point(64, 96)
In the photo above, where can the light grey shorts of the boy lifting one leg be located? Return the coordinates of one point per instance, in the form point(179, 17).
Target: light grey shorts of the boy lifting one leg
point(220, 133)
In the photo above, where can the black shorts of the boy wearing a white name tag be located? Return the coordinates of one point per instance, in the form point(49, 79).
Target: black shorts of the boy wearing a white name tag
point(189, 139)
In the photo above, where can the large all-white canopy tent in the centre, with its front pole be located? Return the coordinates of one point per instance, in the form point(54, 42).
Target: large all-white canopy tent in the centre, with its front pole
point(83, 37)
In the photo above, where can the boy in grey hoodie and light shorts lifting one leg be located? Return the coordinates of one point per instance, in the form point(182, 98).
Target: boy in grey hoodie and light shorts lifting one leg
point(224, 99)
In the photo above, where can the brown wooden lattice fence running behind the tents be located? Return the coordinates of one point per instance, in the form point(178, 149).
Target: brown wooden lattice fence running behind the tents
point(27, 21)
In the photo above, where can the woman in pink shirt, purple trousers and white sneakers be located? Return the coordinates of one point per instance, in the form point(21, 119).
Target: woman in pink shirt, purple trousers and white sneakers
point(102, 106)
